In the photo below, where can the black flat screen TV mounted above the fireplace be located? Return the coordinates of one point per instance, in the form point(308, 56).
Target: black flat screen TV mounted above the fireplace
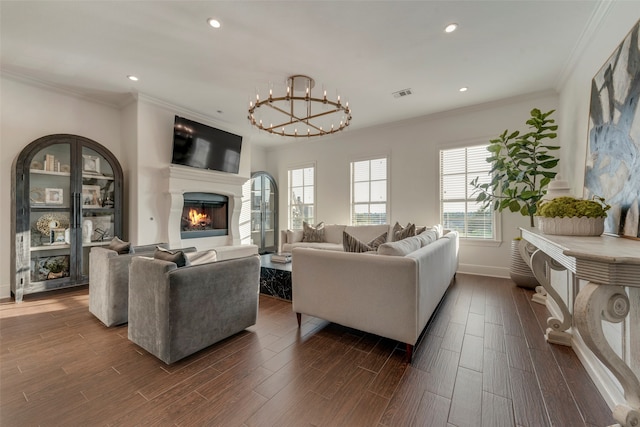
point(204, 147)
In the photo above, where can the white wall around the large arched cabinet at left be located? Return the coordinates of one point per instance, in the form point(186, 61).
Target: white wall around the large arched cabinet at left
point(28, 113)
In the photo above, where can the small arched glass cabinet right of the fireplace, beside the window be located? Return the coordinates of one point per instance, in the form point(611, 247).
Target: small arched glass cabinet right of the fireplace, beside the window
point(264, 203)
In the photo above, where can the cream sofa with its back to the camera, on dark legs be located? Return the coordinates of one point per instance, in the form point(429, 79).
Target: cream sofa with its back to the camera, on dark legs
point(392, 296)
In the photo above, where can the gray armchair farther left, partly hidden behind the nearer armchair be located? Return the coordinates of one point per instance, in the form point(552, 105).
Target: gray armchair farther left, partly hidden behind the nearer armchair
point(109, 282)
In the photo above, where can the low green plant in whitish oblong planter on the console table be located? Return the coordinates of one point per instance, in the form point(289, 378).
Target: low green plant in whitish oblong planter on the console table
point(569, 216)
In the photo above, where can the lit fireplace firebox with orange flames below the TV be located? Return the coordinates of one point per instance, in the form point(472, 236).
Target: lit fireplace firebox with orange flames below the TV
point(204, 215)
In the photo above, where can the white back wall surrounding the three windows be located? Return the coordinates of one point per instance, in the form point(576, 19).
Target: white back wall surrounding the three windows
point(413, 147)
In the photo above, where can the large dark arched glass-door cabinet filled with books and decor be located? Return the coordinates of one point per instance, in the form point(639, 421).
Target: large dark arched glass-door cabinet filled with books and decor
point(67, 197)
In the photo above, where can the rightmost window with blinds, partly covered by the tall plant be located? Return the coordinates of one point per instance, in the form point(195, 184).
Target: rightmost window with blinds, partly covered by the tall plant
point(458, 208)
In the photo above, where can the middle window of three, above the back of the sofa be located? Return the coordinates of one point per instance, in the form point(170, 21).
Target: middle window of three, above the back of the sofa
point(369, 192)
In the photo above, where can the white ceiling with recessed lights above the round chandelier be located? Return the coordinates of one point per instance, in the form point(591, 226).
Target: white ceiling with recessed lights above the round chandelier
point(365, 50)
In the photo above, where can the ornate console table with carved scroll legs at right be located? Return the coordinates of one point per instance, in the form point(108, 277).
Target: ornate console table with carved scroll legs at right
point(609, 264)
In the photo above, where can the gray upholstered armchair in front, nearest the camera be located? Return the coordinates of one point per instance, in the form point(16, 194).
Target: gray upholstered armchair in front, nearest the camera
point(175, 312)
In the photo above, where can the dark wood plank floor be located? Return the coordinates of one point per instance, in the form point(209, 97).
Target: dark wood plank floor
point(483, 361)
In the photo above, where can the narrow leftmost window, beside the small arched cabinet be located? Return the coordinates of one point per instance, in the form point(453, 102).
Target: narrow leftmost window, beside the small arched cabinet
point(301, 197)
